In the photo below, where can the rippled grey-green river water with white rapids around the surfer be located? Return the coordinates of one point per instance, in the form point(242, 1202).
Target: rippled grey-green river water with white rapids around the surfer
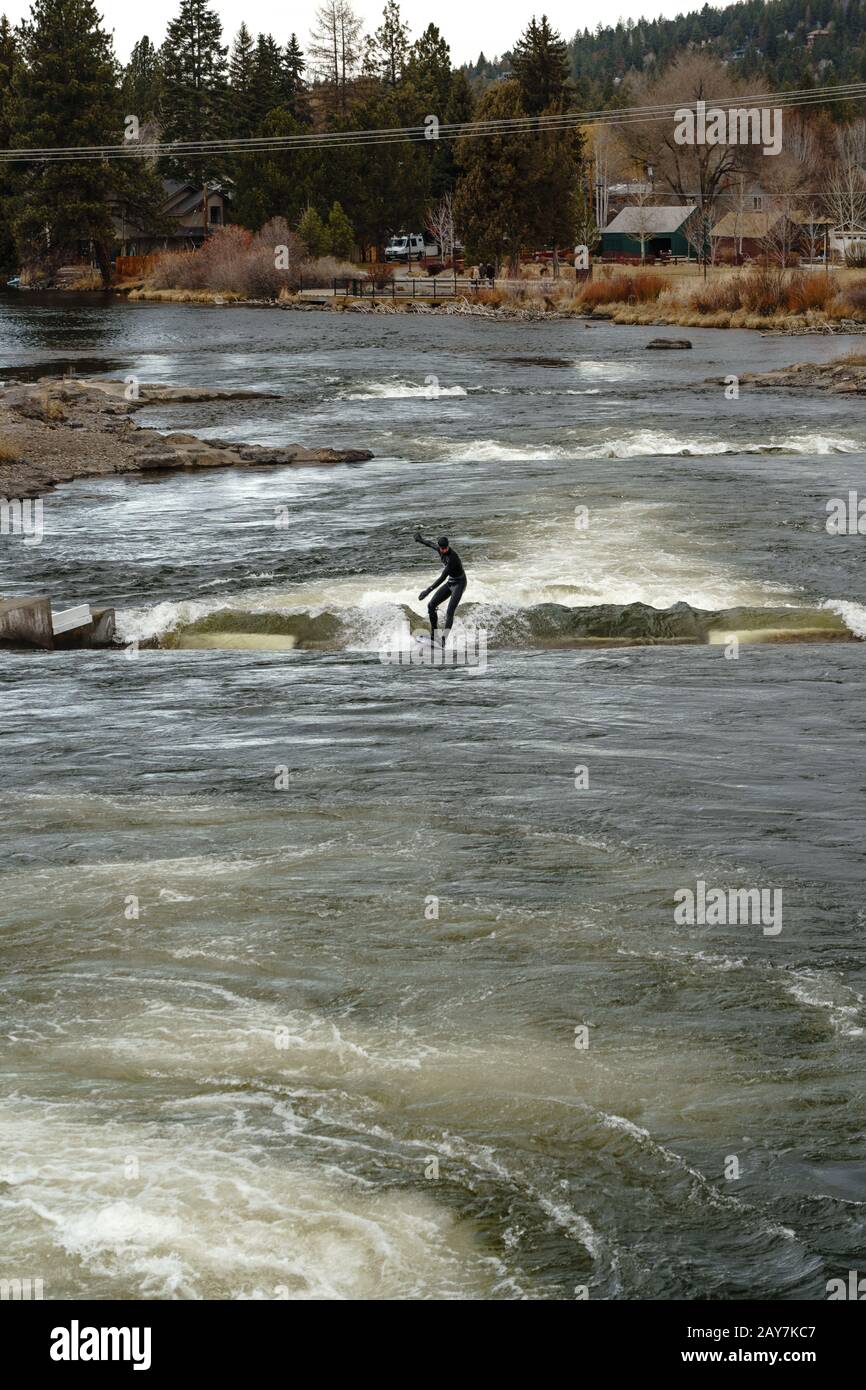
point(298, 945)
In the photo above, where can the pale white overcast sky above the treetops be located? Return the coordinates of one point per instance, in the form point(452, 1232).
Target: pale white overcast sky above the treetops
point(468, 28)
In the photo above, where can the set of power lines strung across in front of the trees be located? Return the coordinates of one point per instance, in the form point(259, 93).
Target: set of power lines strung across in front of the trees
point(419, 134)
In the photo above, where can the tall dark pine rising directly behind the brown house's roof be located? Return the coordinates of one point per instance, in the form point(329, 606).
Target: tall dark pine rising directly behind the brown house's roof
point(195, 87)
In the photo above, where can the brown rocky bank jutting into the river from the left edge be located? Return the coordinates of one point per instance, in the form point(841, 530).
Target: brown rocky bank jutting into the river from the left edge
point(58, 430)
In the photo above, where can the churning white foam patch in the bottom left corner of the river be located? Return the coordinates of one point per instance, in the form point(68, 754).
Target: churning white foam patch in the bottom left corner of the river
point(202, 1211)
